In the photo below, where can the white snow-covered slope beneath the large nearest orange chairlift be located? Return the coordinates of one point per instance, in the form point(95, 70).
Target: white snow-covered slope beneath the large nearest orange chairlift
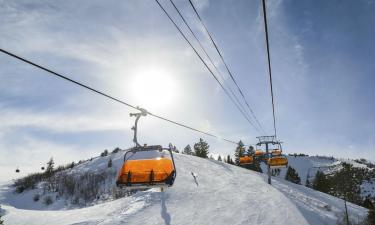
point(221, 194)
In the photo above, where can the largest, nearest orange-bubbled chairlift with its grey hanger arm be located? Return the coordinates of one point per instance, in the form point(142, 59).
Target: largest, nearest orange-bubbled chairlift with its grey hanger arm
point(146, 166)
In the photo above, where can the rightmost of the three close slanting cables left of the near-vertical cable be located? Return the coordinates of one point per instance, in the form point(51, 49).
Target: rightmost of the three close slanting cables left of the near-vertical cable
point(226, 66)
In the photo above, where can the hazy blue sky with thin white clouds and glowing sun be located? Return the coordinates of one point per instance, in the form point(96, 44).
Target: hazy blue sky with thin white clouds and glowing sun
point(322, 56)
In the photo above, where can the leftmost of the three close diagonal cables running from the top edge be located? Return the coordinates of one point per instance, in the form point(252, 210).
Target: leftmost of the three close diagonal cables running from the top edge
point(205, 64)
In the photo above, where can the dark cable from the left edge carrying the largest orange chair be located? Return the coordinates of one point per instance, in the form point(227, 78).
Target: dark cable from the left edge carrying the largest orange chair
point(110, 97)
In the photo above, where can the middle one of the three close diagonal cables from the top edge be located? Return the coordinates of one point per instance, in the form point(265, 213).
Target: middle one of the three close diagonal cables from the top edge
point(213, 64)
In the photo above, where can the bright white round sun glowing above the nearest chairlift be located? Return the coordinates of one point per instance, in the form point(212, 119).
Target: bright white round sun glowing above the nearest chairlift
point(154, 89)
